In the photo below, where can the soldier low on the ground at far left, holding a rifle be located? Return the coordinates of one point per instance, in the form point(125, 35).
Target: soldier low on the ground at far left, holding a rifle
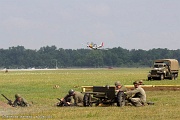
point(19, 101)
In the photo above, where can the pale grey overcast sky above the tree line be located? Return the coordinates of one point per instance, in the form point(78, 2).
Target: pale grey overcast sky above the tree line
point(70, 24)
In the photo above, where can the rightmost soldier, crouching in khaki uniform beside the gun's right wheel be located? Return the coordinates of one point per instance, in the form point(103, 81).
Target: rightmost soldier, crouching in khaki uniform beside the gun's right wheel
point(138, 95)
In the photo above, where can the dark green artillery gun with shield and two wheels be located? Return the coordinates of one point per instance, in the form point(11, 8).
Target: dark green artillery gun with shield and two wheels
point(97, 95)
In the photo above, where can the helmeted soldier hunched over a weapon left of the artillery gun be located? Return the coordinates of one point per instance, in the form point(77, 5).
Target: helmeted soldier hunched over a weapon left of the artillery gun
point(73, 98)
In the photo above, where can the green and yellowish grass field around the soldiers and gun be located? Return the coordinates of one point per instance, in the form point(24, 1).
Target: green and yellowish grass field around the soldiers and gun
point(37, 86)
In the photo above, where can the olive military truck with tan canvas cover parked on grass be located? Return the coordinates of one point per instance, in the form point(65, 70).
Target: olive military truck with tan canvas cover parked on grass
point(164, 69)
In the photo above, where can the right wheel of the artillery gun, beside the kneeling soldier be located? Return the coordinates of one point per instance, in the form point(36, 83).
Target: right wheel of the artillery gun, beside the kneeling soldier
point(120, 99)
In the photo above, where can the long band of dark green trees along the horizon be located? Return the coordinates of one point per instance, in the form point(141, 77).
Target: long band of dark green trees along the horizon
point(52, 57)
